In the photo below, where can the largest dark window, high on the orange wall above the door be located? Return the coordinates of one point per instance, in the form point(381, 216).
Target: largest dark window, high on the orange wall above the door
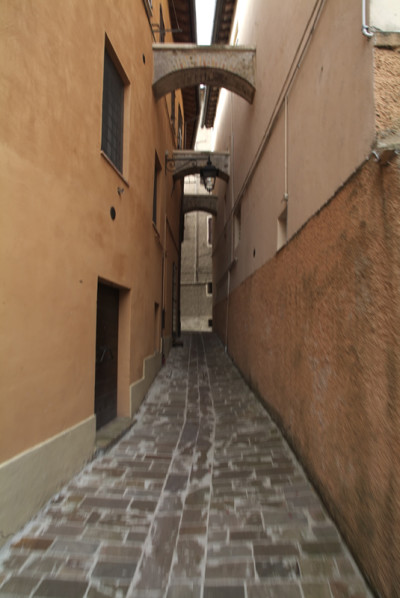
point(113, 111)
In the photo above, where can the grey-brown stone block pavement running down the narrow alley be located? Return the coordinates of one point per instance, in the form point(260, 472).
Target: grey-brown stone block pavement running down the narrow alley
point(201, 498)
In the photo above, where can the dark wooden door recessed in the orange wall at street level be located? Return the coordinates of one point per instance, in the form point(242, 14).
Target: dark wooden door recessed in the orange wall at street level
point(105, 402)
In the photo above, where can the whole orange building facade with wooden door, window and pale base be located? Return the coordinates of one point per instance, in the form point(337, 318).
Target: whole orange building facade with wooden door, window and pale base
point(90, 241)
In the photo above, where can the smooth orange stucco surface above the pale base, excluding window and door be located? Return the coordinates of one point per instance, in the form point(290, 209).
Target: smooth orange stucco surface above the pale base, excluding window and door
point(57, 237)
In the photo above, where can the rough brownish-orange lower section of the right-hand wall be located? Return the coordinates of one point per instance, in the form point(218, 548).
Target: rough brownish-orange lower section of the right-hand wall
point(317, 338)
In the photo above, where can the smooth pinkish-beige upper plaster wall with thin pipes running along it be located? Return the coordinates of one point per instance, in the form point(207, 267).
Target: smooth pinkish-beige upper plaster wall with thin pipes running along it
point(310, 126)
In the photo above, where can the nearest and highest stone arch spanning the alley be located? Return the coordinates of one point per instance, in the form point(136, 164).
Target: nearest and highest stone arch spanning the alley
point(177, 66)
